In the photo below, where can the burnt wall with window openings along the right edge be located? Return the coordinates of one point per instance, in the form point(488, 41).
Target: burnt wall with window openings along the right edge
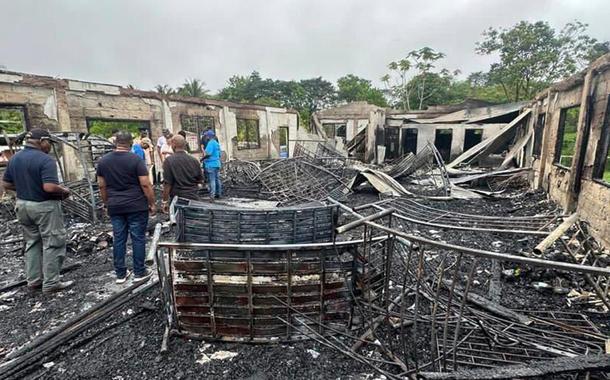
point(576, 188)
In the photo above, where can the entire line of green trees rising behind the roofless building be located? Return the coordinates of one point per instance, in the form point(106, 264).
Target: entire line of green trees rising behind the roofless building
point(530, 56)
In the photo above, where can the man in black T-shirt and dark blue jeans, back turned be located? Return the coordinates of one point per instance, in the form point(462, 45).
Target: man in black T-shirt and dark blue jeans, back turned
point(129, 198)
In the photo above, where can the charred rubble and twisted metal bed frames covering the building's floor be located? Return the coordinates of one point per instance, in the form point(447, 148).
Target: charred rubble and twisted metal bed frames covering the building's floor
point(402, 274)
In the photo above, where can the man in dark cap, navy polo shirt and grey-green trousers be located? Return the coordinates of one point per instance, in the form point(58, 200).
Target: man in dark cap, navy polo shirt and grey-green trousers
point(32, 173)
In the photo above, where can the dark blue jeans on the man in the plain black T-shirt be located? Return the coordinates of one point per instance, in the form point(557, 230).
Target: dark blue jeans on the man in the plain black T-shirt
point(135, 224)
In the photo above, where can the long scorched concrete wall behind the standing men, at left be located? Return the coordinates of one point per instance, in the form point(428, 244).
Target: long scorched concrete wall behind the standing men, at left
point(67, 105)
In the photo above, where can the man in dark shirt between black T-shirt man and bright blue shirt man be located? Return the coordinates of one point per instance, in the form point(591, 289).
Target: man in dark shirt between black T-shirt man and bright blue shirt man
point(181, 173)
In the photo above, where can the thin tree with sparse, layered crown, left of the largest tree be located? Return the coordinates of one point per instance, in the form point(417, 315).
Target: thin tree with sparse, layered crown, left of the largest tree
point(408, 82)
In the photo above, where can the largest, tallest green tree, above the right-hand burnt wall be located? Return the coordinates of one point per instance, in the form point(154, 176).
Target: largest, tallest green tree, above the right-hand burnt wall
point(533, 55)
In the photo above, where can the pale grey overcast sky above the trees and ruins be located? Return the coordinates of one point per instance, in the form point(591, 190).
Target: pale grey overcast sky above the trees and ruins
point(149, 42)
